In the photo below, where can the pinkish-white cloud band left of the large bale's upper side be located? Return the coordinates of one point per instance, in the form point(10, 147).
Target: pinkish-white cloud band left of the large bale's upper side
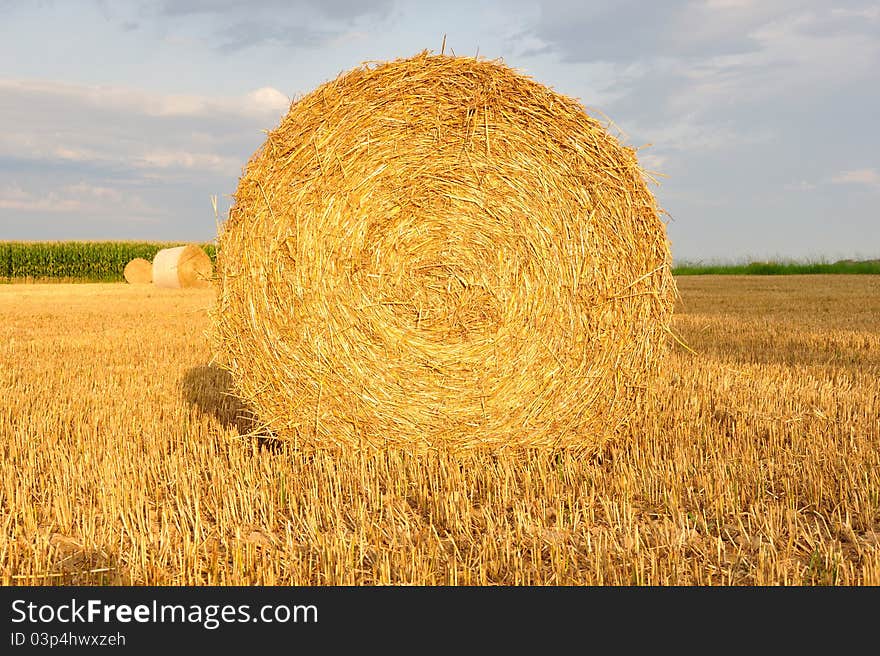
point(126, 128)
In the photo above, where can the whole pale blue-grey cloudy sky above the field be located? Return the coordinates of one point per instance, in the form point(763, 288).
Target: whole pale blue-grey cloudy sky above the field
point(120, 120)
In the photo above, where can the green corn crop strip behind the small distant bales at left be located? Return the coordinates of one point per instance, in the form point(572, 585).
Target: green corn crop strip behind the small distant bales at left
point(97, 261)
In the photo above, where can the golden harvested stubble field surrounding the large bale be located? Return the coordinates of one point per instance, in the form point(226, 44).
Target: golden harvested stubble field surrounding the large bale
point(758, 461)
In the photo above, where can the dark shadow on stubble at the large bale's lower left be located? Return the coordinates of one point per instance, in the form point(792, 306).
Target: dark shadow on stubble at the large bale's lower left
point(209, 390)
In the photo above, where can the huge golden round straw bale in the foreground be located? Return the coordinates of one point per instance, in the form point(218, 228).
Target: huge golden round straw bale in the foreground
point(440, 251)
